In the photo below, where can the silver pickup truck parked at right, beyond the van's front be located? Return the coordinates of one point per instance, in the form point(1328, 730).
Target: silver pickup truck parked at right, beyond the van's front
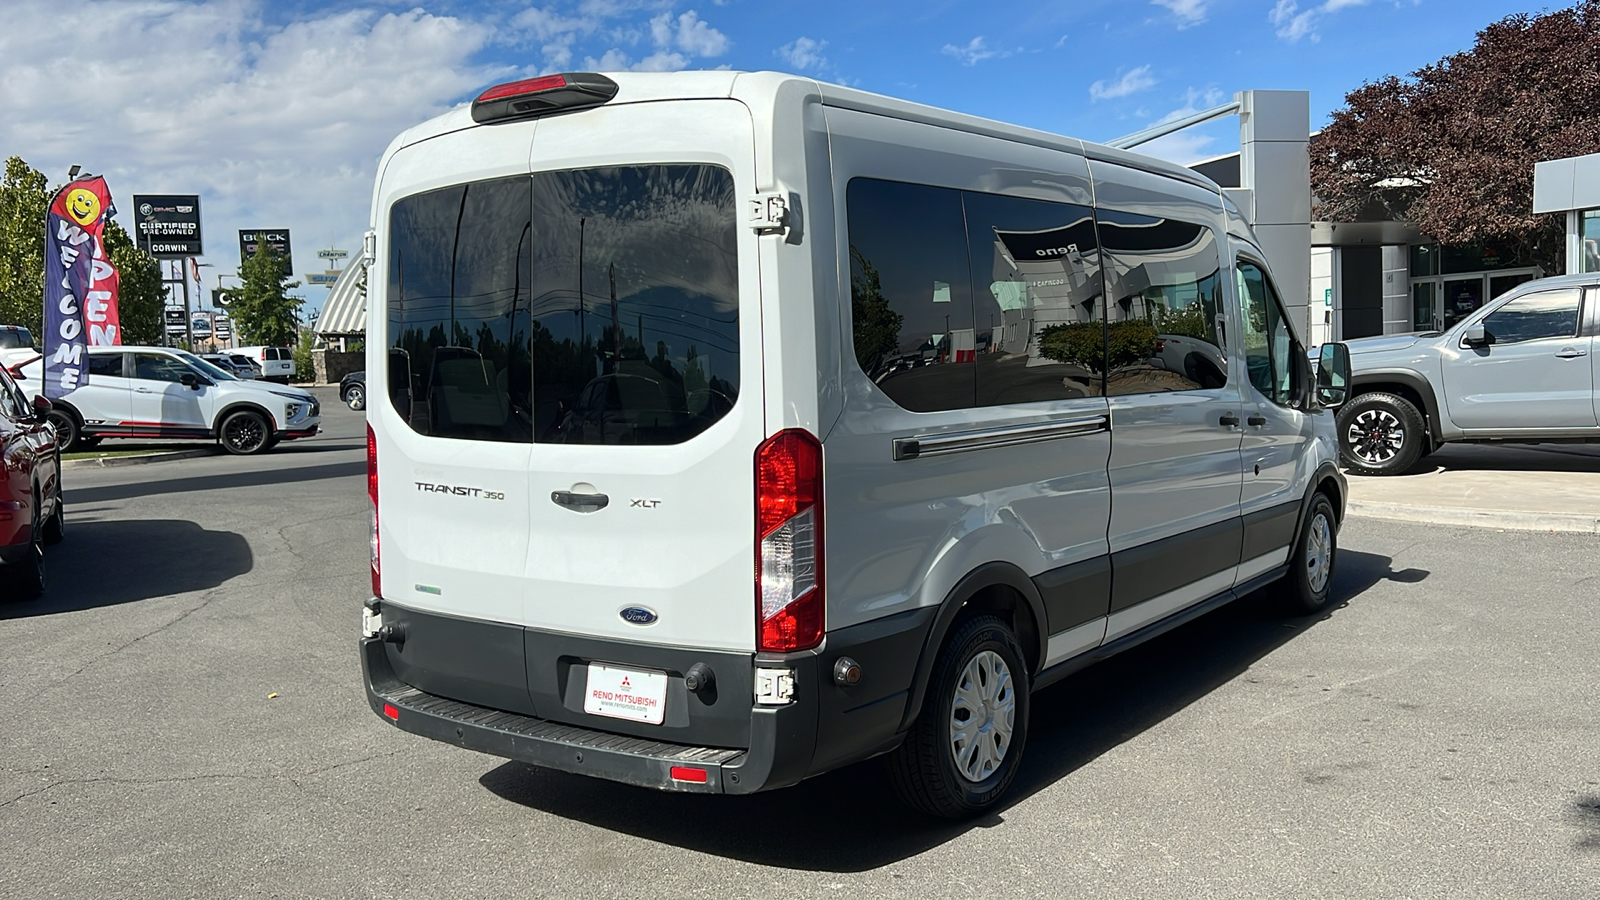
point(1524, 369)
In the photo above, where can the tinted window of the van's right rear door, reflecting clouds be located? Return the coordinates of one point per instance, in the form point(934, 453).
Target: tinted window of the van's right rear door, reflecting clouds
point(636, 303)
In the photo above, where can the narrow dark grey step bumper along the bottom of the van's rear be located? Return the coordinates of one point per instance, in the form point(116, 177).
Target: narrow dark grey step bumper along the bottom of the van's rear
point(780, 750)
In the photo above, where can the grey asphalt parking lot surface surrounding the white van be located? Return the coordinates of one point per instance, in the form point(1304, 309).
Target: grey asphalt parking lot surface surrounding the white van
point(185, 718)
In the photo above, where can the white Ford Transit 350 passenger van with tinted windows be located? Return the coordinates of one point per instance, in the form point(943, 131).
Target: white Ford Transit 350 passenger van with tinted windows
point(730, 428)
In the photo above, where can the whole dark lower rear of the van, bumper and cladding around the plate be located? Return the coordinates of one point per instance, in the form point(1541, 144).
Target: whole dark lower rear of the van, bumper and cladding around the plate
point(519, 693)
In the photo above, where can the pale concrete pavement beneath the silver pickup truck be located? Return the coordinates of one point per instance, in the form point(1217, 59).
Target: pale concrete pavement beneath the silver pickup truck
point(1546, 488)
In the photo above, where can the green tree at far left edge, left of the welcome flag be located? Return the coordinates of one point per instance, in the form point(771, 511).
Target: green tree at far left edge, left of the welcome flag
point(25, 203)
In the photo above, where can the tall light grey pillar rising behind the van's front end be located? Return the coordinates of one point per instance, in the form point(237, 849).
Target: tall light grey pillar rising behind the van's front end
point(1274, 166)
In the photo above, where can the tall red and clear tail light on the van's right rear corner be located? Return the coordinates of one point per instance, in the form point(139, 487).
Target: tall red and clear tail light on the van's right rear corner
point(790, 542)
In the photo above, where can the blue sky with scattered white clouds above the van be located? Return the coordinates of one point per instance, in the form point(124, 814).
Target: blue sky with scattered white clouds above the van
point(278, 111)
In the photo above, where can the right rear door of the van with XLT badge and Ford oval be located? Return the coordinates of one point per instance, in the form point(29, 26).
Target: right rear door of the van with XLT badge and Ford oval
point(647, 377)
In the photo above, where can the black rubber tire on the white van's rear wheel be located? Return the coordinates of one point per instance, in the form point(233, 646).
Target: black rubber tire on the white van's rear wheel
point(926, 769)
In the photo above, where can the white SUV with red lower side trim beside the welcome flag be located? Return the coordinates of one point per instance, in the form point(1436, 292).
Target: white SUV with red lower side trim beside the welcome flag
point(167, 393)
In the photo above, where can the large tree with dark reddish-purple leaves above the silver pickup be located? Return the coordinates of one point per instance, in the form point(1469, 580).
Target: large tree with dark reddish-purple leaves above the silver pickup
point(1452, 147)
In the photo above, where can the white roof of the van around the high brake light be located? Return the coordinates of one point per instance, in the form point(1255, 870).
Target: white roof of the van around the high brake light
point(652, 87)
